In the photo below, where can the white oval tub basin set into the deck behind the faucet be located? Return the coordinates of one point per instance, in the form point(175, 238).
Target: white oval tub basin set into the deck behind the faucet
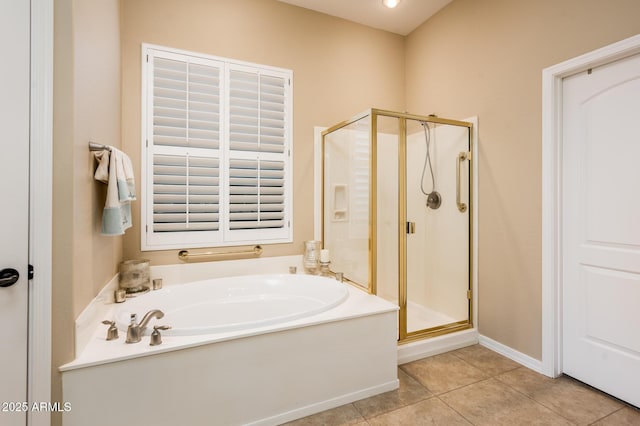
point(235, 303)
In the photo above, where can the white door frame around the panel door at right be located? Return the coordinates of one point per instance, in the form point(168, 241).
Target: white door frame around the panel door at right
point(552, 82)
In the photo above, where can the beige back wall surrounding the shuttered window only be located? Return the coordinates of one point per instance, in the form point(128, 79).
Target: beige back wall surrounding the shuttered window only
point(339, 68)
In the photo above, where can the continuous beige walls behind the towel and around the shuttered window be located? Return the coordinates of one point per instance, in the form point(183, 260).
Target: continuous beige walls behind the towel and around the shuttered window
point(340, 68)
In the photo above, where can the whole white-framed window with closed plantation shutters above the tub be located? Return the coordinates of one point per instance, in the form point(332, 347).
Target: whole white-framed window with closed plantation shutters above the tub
point(216, 151)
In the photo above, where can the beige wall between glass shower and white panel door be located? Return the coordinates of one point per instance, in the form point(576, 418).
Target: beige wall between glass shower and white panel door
point(485, 58)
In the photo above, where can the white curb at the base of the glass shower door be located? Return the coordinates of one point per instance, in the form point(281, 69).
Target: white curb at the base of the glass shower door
point(437, 345)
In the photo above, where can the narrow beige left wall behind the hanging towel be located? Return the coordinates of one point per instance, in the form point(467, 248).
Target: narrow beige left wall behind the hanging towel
point(86, 107)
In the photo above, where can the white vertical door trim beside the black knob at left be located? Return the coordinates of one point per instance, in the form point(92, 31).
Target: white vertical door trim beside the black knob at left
point(40, 206)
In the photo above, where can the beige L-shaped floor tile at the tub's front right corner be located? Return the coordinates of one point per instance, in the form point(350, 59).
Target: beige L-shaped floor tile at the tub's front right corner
point(410, 391)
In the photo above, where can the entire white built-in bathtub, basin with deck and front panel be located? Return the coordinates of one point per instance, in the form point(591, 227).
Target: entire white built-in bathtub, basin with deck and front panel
point(316, 344)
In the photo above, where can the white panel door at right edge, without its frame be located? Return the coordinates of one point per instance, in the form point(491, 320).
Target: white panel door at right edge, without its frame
point(601, 228)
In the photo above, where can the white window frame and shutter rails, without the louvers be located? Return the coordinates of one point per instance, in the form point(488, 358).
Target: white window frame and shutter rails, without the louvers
point(224, 236)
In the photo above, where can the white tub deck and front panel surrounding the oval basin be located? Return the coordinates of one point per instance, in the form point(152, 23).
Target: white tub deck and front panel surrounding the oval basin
point(262, 376)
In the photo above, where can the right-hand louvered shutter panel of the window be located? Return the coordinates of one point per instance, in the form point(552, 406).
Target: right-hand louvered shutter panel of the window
point(257, 153)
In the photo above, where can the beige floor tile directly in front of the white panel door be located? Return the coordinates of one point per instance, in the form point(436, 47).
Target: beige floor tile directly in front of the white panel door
point(576, 401)
